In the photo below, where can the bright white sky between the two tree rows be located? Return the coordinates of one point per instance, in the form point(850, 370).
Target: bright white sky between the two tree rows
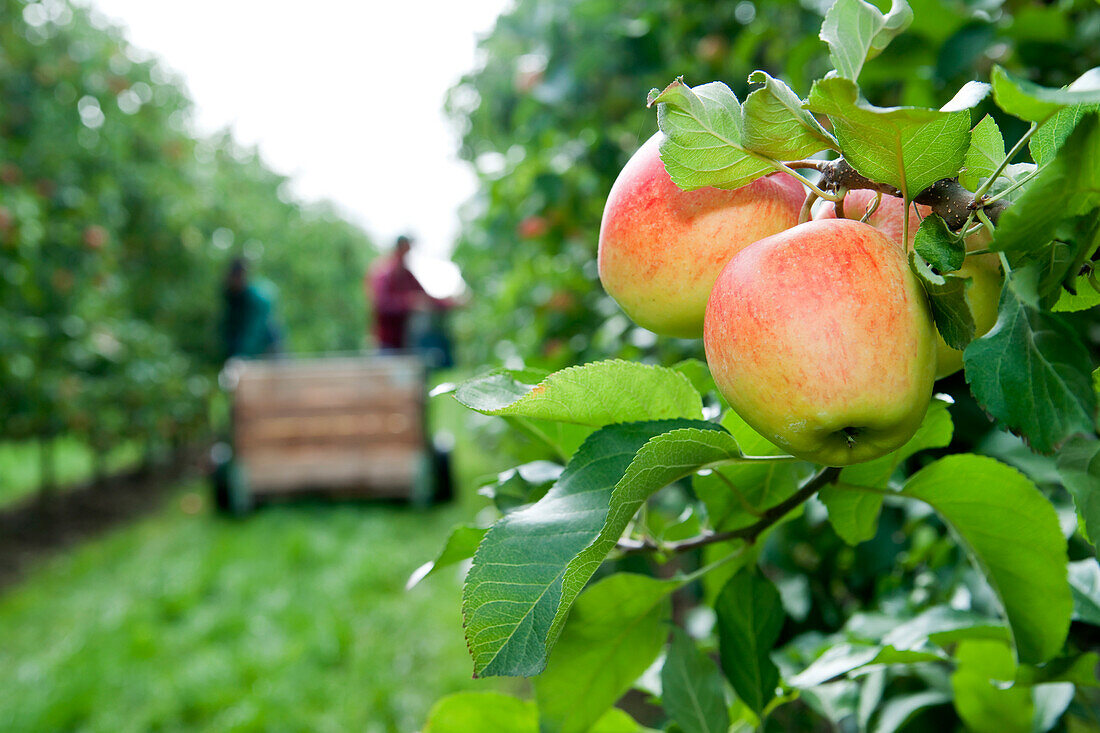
point(345, 96)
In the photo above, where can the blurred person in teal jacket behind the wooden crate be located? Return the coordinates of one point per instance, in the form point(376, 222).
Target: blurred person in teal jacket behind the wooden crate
point(249, 325)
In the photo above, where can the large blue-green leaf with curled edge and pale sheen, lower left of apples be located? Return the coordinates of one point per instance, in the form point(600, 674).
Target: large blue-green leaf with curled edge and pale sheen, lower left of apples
point(534, 563)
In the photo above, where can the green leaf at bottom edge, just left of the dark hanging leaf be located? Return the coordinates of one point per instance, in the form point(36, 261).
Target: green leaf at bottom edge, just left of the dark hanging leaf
point(692, 688)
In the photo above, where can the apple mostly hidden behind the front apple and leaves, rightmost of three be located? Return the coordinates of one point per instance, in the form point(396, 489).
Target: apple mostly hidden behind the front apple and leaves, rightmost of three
point(984, 270)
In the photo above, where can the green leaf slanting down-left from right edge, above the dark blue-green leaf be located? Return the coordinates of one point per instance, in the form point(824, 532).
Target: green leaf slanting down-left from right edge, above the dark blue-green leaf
point(1068, 187)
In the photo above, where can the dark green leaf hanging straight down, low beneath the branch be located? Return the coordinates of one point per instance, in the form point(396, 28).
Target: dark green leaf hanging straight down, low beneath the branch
point(751, 618)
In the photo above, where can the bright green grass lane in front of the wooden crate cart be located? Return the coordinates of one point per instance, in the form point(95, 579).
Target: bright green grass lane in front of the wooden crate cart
point(294, 619)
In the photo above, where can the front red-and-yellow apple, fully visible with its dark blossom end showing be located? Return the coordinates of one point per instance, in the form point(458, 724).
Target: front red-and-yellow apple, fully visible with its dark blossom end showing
point(821, 338)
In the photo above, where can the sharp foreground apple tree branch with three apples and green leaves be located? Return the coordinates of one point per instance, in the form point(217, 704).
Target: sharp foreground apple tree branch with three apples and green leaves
point(711, 549)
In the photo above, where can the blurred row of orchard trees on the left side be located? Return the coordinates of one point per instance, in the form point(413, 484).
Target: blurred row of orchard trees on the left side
point(116, 231)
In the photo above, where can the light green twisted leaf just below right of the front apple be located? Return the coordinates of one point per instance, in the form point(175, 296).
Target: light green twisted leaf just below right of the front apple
point(853, 511)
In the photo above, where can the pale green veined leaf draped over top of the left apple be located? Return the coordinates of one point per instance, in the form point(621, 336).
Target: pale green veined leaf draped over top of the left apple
point(703, 145)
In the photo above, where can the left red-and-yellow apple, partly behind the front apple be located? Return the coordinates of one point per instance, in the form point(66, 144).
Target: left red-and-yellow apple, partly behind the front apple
point(662, 248)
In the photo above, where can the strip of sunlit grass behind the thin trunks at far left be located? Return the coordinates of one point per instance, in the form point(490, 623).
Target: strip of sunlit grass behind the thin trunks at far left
point(20, 465)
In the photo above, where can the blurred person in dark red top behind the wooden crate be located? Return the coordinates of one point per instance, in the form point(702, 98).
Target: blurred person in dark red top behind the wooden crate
point(397, 294)
